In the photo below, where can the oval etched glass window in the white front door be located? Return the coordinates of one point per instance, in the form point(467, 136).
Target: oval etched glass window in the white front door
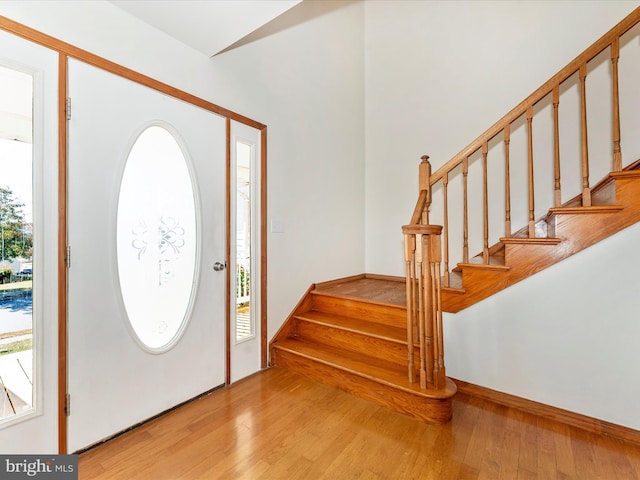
point(156, 239)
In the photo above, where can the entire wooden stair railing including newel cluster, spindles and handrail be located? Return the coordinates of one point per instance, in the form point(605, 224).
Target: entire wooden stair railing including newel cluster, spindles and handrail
point(425, 250)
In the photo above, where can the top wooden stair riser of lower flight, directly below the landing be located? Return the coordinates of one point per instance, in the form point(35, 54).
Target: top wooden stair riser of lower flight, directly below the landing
point(385, 314)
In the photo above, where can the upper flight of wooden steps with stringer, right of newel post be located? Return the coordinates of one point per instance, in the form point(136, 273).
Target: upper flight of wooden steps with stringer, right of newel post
point(563, 232)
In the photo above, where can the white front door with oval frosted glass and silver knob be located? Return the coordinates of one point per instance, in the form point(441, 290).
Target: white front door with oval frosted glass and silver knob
point(146, 225)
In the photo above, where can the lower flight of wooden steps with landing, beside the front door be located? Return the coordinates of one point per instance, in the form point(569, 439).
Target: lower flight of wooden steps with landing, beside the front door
point(352, 334)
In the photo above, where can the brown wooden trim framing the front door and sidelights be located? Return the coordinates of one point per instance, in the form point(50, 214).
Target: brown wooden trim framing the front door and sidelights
point(66, 51)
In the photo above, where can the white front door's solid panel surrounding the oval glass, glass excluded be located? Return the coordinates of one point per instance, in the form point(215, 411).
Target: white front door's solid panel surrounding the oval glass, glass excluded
point(114, 382)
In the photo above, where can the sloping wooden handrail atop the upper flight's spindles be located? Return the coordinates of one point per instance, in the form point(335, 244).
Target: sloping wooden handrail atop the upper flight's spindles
point(574, 66)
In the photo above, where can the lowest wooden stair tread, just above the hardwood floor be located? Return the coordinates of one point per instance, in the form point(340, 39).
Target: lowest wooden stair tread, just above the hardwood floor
point(366, 366)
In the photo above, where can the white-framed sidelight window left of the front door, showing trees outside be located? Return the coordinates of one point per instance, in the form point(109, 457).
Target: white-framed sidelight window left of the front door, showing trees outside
point(28, 209)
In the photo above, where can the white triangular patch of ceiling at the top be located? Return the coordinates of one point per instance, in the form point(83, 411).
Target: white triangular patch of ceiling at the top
point(209, 26)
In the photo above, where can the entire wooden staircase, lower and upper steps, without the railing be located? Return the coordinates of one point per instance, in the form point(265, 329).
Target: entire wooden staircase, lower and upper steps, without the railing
point(352, 333)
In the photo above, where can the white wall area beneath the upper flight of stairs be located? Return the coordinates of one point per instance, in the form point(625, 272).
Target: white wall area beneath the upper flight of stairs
point(568, 336)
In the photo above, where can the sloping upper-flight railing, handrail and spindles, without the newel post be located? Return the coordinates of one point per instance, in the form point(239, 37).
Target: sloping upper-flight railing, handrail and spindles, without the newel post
point(543, 105)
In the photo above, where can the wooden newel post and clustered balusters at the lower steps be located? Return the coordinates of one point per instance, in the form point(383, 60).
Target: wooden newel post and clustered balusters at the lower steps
point(424, 313)
